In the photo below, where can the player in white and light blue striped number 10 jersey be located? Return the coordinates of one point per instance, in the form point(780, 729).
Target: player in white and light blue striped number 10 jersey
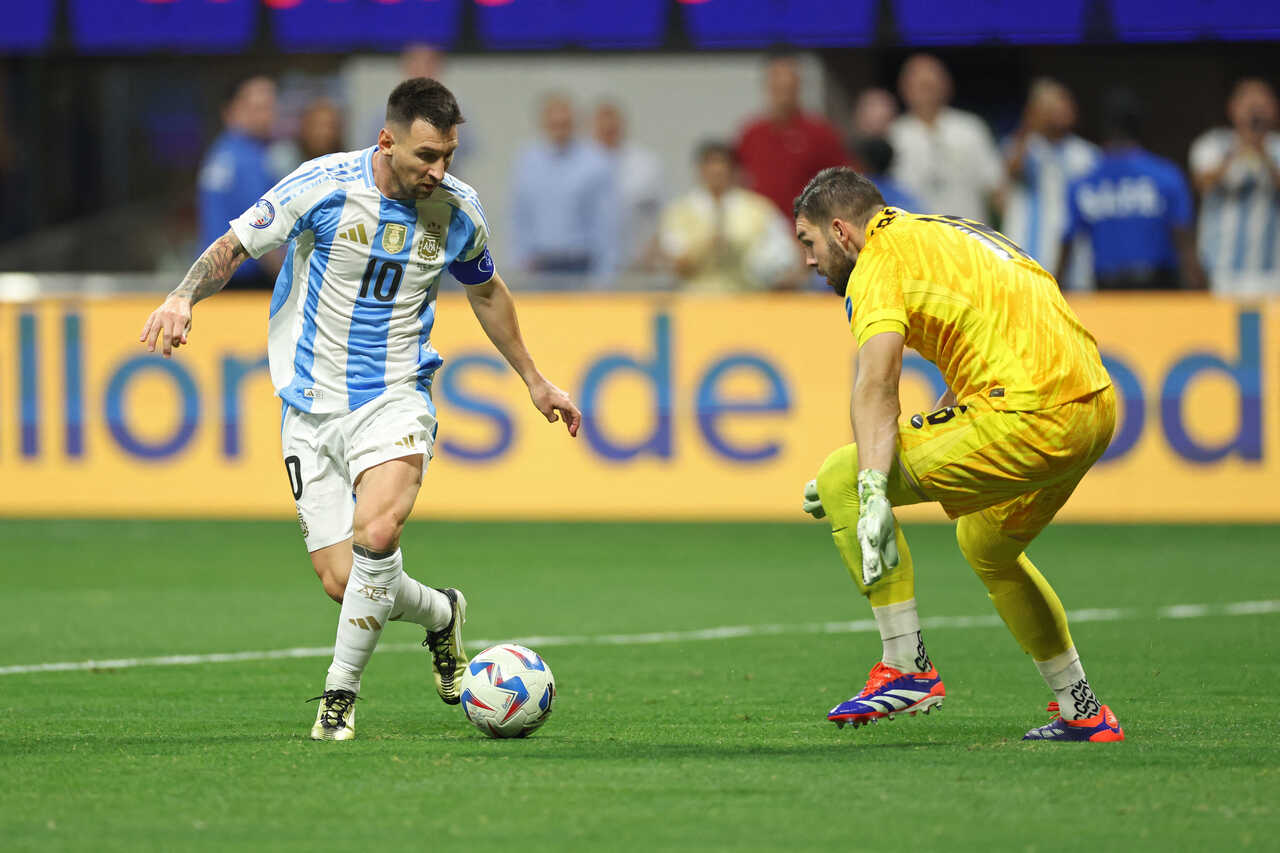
point(369, 236)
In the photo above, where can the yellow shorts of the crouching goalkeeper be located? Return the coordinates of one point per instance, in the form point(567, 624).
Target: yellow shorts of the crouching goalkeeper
point(1017, 467)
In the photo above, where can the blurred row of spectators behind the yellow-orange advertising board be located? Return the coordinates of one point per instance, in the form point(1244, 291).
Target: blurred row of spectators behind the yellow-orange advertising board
point(589, 207)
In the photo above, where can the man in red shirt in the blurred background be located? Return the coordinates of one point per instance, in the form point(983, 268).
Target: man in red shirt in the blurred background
point(781, 150)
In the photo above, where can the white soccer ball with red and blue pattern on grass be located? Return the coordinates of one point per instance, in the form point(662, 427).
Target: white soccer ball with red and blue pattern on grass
point(508, 691)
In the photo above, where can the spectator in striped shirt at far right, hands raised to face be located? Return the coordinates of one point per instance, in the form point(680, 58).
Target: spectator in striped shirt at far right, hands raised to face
point(1237, 172)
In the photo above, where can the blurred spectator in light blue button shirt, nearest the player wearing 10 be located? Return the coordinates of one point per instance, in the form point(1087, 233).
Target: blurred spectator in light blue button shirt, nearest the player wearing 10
point(565, 208)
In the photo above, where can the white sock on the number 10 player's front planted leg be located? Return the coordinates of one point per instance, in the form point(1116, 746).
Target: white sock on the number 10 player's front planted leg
point(367, 606)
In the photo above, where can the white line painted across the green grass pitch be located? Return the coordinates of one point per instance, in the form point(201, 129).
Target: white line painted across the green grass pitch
point(728, 632)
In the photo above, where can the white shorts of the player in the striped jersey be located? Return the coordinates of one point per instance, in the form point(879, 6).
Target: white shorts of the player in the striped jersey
point(326, 454)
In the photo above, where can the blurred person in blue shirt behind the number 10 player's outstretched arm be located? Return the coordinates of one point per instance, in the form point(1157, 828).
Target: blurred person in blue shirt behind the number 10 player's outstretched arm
point(236, 172)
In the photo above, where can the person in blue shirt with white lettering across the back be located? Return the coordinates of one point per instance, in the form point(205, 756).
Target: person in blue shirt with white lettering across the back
point(1137, 211)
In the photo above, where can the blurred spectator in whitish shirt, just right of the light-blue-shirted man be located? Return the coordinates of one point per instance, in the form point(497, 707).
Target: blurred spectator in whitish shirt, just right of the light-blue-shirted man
point(638, 176)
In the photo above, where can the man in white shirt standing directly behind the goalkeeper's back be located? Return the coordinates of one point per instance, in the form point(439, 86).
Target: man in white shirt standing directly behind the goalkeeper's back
point(944, 157)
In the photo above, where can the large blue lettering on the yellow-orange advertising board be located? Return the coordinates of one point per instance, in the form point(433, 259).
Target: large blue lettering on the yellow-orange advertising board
point(711, 407)
